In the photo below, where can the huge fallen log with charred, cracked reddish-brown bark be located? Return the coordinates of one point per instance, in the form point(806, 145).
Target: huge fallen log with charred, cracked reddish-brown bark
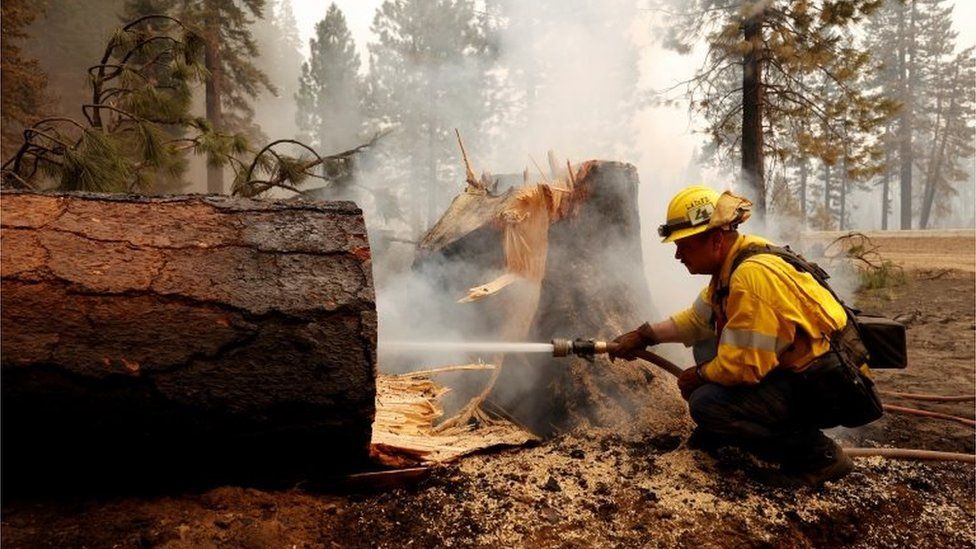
point(205, 338)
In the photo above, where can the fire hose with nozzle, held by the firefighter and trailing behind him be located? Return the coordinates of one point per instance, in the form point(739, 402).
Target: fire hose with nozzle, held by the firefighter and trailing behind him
point(588, 348)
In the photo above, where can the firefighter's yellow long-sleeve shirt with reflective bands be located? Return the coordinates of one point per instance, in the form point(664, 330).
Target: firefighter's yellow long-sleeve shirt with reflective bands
point(775, 317)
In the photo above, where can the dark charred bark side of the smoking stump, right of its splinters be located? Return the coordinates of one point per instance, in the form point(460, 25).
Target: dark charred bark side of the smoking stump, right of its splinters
point(595, 287)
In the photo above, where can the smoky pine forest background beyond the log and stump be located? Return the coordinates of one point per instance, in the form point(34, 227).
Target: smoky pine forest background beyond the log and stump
point(824, 111)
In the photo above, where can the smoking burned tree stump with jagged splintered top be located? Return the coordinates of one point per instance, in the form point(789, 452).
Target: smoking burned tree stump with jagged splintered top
point(593, 286)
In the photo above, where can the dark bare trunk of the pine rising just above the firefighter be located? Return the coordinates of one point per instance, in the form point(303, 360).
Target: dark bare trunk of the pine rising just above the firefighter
point(752, 99)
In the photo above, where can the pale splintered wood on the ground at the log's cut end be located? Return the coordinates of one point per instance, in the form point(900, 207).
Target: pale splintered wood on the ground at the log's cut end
point(404, 434)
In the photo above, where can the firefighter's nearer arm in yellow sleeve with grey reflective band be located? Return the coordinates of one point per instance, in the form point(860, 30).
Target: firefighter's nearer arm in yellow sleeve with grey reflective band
point(754, 334)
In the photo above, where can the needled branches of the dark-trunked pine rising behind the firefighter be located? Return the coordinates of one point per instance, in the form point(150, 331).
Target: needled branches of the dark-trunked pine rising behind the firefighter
point(814, 99)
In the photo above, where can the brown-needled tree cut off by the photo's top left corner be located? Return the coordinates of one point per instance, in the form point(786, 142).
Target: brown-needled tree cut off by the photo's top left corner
point(22, 81)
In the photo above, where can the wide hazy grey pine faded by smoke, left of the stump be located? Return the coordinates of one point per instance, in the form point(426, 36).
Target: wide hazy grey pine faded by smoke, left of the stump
point(427, 77)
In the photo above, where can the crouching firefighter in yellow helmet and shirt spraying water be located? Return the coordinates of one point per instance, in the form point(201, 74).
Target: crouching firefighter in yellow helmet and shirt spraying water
point(778, 356)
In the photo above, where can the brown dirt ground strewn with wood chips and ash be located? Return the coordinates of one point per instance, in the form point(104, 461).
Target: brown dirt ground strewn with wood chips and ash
point(623, 485)
